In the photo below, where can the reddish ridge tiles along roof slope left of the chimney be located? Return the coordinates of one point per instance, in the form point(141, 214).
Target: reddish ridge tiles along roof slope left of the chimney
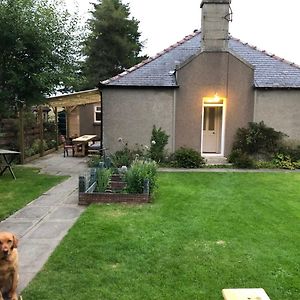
point(152, 58)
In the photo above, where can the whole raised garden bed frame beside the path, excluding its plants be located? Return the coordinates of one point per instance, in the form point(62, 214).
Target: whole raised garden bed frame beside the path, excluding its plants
point(87, 194)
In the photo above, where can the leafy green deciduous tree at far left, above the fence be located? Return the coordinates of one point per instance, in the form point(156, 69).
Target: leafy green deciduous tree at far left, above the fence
point(38, 51)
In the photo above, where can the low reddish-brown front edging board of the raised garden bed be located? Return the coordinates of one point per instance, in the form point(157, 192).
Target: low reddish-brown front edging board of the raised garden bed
point(89, 198)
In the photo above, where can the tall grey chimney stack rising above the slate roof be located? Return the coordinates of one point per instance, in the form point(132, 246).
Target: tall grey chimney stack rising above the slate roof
point(216, 15)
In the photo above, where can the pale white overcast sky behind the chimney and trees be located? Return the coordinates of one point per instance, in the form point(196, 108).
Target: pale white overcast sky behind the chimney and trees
point(271, 25)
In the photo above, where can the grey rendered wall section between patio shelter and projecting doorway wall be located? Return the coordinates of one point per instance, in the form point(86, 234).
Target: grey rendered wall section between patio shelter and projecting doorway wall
point(131, 114)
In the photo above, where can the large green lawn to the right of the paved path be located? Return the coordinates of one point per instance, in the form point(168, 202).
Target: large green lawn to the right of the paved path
point(204, 232)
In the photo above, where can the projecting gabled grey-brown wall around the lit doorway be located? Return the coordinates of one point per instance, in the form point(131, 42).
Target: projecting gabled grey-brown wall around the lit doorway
point(207, 74)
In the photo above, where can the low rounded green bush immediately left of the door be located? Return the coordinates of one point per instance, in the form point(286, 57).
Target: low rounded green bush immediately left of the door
point(187, 158)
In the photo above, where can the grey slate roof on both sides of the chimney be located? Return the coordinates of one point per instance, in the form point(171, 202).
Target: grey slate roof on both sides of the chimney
point(270, 71)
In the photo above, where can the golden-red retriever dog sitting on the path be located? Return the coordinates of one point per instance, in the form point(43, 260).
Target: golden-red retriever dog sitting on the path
point(8, 266)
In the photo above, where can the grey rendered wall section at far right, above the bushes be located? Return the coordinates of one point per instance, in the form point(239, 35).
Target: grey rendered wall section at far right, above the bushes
point(279, 109)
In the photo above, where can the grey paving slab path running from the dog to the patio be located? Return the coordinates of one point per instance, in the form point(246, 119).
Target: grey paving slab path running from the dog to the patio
point(43, 223)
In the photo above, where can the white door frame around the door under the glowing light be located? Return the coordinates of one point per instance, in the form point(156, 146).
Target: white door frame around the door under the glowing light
point(222, 135)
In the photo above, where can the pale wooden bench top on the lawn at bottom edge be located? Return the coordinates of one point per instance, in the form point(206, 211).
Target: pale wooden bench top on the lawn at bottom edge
point(245, 294)
